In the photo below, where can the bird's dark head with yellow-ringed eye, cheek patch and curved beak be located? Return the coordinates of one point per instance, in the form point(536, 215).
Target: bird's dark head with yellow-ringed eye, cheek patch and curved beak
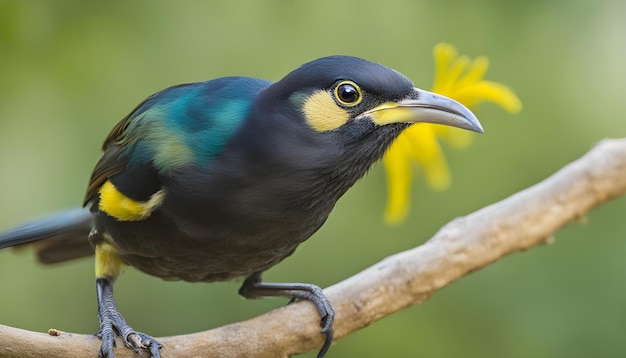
point(353, 98)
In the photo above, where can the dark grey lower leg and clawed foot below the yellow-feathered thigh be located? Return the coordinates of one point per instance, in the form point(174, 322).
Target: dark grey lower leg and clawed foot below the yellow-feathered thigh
point(112, 323)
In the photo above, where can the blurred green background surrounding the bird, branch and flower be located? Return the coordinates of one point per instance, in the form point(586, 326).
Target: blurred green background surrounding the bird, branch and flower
point(69, 70)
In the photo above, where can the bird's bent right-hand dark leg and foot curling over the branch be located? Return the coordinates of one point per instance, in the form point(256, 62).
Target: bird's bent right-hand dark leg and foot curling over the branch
point(253, 287)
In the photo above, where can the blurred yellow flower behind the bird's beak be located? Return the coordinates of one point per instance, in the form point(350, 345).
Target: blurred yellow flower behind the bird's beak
point(459, 78)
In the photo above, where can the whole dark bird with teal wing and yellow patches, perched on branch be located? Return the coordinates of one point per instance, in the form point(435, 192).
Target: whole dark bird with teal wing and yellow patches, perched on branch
point(221, 180)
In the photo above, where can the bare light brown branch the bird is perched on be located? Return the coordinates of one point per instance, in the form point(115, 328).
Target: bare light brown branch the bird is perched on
point(464, 245)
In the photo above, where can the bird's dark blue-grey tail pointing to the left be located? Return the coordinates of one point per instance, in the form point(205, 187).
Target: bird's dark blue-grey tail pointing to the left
point(56, 238)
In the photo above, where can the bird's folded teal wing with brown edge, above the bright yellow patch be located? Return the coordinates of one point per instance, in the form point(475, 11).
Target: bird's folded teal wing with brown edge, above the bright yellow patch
point(182, 125)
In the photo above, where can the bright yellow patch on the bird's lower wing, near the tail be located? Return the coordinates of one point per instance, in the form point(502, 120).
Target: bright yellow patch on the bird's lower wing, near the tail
point(123, 208)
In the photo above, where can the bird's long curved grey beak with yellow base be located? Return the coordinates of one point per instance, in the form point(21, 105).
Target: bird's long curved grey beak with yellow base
point(427, 107)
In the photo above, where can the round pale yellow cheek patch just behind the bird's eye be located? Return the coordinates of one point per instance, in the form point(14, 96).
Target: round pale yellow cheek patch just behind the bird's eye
point(322, 113)
